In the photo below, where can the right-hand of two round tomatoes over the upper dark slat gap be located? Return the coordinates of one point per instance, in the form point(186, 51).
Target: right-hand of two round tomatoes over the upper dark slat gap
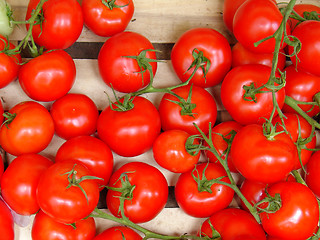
point(213, 45)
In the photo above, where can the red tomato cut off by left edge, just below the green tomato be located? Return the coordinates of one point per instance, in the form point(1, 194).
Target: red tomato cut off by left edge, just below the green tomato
point(9, 64)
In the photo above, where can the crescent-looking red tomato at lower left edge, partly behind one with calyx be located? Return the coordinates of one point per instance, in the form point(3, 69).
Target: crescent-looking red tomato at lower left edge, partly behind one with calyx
point(20, 180)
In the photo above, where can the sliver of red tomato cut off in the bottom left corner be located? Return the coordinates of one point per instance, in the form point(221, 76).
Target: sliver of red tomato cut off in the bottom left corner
point(6, 222)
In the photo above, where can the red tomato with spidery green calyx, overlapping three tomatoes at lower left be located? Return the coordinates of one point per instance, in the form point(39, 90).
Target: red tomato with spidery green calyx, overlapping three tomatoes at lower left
point(64, 200)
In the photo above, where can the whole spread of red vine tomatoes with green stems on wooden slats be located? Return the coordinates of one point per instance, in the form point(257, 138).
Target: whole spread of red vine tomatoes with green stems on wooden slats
point(270, 143)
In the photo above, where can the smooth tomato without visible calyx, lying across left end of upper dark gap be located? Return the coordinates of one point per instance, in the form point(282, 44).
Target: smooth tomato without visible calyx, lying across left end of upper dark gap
point(48, 76)
